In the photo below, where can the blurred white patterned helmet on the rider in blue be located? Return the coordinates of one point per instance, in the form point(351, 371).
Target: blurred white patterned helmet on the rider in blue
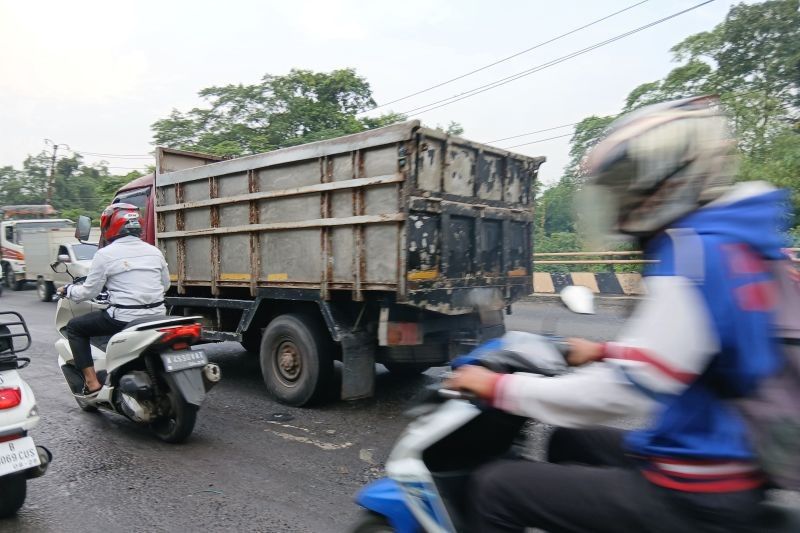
point(659, 164)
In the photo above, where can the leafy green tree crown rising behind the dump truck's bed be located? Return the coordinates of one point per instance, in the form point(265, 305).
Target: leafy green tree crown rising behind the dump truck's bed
point(279, 111)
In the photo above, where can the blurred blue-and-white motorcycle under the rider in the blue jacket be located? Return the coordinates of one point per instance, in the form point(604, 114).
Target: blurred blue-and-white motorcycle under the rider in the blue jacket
point(453, 433)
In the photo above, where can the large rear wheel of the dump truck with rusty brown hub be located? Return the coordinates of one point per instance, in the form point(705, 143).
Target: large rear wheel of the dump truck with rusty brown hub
point(297, 359)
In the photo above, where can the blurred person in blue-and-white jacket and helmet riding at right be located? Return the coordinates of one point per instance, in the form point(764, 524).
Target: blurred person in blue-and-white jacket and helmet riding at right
point(702, 335)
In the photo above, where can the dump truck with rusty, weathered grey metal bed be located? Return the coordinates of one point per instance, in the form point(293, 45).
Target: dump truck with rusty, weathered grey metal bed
point(400, 245)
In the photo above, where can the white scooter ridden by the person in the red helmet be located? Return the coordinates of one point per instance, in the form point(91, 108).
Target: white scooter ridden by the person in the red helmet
point(149, 373)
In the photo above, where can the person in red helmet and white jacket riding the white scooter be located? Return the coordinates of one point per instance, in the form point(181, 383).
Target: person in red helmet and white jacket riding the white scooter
point(135, 275)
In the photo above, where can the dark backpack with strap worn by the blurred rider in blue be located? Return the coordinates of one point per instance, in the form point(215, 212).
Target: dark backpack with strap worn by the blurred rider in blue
point(772, 412)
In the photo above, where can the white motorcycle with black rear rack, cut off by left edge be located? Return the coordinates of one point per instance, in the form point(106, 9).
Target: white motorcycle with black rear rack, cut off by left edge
point(20, 458)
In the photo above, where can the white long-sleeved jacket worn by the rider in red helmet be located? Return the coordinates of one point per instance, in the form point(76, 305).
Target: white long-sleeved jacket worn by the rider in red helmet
point(133, 272)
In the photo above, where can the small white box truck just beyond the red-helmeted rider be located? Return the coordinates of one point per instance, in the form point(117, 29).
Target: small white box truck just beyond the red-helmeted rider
point(55, 245)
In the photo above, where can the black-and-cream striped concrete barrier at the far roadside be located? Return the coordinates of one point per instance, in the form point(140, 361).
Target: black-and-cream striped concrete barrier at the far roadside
point(609, 283)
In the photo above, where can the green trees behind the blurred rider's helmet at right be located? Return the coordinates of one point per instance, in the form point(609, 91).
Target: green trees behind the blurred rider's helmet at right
point(752, 61)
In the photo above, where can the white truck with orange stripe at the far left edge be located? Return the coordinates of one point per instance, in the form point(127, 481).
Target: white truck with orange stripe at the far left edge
point(15, 220)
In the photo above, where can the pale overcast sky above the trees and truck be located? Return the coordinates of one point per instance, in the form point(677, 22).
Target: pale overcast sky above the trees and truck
point(94, 75)
